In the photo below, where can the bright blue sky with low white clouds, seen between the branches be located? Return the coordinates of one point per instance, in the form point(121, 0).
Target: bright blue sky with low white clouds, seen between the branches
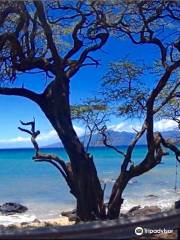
point(85, 84)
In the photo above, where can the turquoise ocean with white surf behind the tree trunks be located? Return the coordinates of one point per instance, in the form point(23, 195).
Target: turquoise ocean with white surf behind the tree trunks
point(41, 188)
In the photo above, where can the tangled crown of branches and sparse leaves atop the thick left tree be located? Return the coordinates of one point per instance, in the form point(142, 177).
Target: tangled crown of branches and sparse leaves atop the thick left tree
point(33, 33)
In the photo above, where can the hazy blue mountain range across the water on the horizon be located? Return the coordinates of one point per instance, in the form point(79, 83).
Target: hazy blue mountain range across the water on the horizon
point(119, 138)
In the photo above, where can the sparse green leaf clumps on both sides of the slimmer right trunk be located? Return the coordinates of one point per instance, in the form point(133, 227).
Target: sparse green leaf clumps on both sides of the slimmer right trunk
point(124, 85)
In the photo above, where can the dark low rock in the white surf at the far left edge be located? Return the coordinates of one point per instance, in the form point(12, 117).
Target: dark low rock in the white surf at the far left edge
point(12, 208)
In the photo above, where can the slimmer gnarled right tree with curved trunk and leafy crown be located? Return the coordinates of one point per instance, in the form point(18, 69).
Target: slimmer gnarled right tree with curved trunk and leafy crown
point(151, 23)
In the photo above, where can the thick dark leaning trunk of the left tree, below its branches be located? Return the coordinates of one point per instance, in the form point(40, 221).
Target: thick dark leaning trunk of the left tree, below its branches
point(88, 191)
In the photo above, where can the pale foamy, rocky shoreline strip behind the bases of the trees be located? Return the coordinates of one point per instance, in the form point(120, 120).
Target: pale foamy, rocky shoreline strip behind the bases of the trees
point(26, 218)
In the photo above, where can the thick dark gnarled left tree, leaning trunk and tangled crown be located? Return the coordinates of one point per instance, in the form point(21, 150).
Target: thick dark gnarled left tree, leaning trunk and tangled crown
point(32, 37)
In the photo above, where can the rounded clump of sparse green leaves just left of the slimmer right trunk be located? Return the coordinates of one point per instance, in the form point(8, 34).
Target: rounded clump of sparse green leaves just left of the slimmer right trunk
point(123, 86)
